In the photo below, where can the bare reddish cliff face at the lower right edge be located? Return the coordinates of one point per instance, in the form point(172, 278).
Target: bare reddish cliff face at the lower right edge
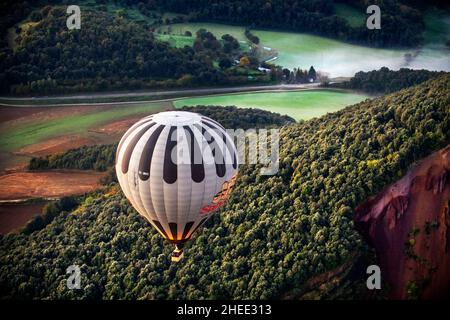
point(408, 224)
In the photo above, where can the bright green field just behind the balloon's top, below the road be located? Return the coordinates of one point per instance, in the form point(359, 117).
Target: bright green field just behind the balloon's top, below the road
point(297, 104)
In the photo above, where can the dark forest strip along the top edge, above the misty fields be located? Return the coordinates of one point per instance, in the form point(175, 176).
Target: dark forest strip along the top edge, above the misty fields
point(402, 24)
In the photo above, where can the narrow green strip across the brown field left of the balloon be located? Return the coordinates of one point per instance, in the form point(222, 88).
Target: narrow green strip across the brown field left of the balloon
point(14, 137)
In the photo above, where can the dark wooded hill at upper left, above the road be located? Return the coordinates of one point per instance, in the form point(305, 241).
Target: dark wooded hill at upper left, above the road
point(113, 52)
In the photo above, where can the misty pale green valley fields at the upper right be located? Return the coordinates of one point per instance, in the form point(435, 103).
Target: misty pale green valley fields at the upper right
point(332, 57)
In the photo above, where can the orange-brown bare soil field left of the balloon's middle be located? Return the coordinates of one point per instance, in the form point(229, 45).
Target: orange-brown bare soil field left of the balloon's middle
point(48, 184)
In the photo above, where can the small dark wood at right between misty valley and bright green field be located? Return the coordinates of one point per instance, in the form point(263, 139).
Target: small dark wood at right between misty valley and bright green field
point(386, 81)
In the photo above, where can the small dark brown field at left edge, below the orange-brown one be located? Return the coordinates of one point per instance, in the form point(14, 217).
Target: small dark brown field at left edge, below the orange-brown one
point(14, 216)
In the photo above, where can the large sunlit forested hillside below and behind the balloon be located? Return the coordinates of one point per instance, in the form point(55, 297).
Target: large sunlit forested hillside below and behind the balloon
point(275, 233)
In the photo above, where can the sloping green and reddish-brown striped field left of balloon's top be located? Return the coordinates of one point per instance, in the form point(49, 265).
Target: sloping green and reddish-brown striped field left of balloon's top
point(37, 131)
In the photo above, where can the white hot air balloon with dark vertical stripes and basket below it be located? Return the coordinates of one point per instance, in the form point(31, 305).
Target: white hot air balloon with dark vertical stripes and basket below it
point(176, 168)
